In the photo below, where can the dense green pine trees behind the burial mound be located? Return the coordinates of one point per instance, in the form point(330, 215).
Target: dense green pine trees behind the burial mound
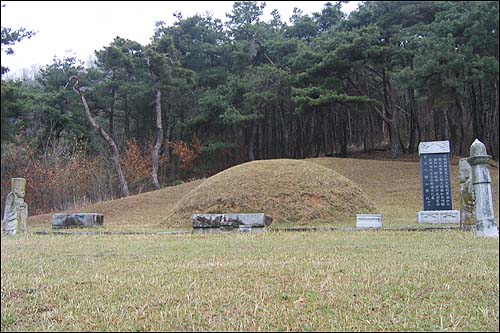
point(387, 76)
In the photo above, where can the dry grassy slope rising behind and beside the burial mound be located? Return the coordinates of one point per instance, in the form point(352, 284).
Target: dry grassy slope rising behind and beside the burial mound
point(393, 186)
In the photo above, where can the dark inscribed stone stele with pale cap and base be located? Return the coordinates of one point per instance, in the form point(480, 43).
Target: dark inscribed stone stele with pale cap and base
point(436, 184)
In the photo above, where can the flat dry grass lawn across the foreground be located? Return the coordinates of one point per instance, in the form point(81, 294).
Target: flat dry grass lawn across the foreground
point(311, 281)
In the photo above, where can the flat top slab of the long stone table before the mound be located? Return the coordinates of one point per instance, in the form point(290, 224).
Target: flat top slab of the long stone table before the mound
point(250, 220)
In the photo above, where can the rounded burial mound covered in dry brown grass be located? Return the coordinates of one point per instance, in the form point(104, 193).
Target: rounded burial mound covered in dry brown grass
point(287, 190)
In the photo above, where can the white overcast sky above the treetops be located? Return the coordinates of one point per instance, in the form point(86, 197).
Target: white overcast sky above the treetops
point(80, 27)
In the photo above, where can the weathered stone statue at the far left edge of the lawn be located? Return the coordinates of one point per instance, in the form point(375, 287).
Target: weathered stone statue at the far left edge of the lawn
point(16, 210)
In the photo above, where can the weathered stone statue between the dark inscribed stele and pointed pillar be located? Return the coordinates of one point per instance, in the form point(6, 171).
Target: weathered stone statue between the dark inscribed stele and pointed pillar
point(467, 219)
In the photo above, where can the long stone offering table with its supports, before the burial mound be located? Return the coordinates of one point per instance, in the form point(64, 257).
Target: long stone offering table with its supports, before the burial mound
point(212, 223)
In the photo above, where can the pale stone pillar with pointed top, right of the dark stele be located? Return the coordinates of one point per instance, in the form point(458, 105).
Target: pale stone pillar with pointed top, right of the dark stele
point(486, 225)
